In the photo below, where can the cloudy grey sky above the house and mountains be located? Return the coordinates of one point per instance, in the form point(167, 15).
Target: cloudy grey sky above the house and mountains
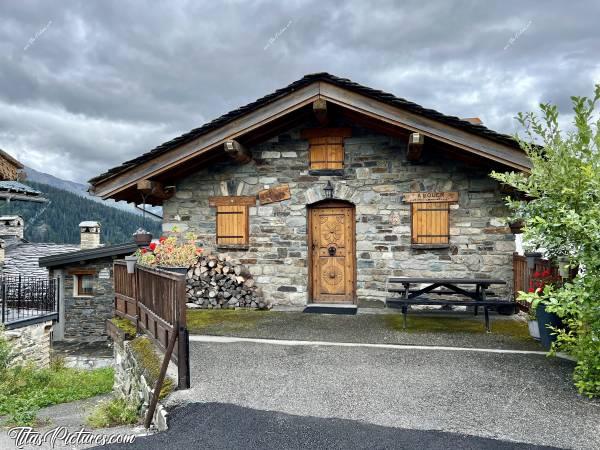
point(85, 85)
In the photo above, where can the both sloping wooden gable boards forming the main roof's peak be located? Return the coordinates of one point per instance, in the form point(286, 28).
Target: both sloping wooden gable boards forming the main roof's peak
point(215, 139)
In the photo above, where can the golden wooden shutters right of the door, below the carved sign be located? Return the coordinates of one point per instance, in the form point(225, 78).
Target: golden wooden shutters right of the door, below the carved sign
point(430, 223)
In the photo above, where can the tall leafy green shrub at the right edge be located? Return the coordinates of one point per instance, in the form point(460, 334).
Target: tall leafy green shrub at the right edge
point(562, 216)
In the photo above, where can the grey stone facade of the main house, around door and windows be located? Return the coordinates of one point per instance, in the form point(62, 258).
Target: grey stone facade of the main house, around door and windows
point(375, 176)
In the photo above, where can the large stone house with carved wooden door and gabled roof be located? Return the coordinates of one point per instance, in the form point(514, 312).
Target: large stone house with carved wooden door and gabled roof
point(324, 188)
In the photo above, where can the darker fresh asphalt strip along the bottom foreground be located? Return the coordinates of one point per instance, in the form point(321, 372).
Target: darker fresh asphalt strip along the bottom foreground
point(225, 426)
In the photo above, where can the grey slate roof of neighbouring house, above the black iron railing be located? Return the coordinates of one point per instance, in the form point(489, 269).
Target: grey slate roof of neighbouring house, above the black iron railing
point(22, 257)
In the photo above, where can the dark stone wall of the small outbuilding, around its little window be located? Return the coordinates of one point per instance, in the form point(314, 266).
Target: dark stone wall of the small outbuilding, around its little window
point(85, 317)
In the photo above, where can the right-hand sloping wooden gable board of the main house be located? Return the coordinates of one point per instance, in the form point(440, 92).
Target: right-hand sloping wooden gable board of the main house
point(471, 143)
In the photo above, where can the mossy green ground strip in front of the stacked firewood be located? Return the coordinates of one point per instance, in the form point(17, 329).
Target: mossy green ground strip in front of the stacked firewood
point(199, 320)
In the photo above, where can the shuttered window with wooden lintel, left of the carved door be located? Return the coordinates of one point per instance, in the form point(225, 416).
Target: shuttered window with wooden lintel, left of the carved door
point(232, 220)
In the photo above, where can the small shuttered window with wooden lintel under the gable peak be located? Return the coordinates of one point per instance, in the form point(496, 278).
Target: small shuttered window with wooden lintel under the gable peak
point(326, 147)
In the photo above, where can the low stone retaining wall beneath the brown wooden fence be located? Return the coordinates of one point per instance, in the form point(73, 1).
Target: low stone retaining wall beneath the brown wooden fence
point(131, 383)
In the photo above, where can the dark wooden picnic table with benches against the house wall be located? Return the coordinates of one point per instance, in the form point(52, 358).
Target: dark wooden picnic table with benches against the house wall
point(475, 290)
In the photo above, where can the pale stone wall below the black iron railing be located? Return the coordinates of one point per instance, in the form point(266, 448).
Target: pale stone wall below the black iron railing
point(31, 344)
